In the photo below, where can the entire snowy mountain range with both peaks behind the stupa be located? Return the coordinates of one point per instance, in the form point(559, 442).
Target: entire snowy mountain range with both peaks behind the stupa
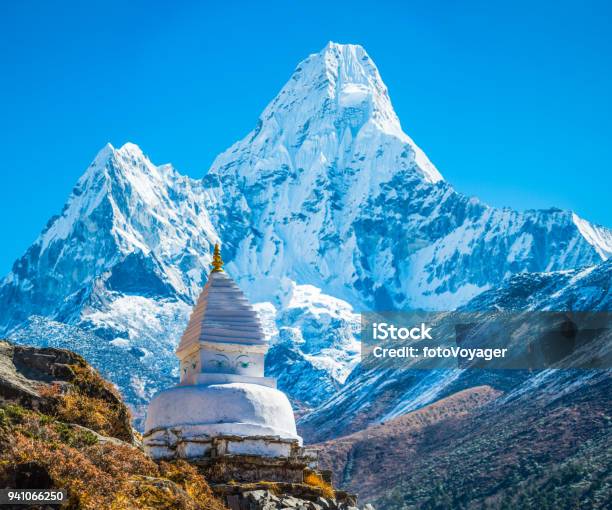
point(325, 209)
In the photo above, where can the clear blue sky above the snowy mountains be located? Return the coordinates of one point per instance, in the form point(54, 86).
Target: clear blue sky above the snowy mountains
point(510, 100)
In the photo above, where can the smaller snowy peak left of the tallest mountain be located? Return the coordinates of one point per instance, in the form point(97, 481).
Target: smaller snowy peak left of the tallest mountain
point(128, 226)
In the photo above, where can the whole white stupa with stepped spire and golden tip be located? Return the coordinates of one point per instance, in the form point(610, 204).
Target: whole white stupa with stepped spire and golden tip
point(223, 405)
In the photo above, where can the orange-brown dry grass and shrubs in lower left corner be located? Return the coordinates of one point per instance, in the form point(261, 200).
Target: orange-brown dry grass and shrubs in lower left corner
point(97, 474)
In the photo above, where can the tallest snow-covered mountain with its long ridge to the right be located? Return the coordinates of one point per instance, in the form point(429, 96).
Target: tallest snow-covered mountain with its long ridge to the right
point(328, 190)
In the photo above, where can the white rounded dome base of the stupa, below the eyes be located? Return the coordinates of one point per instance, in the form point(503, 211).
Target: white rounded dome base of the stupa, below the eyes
point(238, 418)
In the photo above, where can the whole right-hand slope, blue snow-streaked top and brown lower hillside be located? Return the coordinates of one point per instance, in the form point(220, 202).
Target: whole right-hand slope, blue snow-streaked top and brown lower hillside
point(541, 442)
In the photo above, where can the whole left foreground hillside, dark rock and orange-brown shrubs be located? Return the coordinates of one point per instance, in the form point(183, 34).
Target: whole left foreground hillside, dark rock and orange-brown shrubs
point(64, 427)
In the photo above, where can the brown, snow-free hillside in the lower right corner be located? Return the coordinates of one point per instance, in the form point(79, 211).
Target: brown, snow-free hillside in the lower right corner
point(469, 451)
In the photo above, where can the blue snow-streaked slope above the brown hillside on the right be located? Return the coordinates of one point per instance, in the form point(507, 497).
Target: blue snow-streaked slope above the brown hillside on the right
point(371, 396)
